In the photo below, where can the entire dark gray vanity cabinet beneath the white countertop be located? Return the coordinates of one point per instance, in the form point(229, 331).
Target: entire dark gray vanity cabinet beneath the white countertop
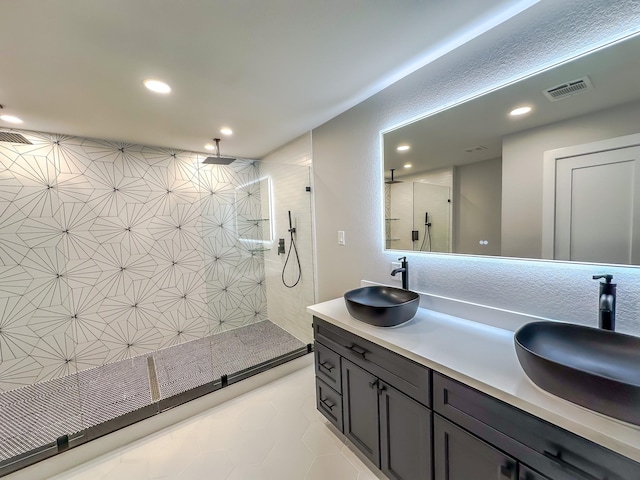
point(417, 424)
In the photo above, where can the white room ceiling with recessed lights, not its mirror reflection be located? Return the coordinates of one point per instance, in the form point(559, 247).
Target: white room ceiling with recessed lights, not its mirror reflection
point(271, 70)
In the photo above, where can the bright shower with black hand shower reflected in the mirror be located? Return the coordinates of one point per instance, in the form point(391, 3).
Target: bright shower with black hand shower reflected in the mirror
point(431, 217)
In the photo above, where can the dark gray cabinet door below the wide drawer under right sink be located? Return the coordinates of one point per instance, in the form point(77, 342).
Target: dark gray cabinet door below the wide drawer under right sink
point(461, 456)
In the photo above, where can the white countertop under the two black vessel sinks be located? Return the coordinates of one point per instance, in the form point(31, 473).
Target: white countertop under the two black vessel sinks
point(484, 358)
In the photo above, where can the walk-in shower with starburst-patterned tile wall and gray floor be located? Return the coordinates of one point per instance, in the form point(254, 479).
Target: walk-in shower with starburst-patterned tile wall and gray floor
point(132, 274)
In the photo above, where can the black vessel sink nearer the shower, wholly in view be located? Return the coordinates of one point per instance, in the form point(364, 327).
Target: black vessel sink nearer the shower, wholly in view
point(382, 306)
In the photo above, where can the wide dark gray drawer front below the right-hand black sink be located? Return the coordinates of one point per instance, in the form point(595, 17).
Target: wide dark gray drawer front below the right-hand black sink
point(551, 450)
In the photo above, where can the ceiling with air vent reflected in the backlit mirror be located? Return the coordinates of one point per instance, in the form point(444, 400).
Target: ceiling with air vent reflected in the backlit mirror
point(440, 141)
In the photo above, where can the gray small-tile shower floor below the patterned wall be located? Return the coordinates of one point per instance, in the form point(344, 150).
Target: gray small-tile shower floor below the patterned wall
point(36, 415)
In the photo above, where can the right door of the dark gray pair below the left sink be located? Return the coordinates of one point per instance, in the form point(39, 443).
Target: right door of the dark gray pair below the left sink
point(405, 436)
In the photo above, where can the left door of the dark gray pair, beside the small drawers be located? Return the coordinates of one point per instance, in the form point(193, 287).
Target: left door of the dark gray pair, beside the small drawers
point(360, 409)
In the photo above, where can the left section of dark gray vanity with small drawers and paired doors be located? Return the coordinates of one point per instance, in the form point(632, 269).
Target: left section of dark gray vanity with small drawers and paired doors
point(391, 428)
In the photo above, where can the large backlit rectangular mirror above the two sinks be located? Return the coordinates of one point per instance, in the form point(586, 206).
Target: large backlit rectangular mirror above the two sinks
point(559, 181)
